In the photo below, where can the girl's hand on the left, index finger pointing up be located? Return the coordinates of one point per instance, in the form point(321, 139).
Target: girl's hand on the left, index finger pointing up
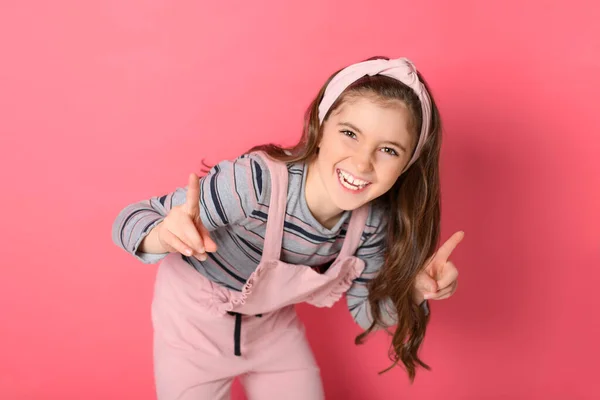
point(182, 231)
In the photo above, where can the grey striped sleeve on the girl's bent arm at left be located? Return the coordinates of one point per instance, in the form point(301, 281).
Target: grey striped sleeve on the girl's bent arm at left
point(228, 194)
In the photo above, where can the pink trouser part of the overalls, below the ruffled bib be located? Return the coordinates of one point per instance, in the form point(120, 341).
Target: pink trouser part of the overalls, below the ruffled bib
point(194, 348)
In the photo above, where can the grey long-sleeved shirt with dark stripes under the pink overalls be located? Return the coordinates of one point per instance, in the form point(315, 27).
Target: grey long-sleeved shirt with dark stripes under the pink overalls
point(234, 205)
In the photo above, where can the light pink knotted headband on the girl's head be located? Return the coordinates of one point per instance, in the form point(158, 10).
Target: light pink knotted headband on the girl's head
point(401, 69)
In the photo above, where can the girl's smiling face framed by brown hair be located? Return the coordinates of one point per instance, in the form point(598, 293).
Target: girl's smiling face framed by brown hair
point(363, 150)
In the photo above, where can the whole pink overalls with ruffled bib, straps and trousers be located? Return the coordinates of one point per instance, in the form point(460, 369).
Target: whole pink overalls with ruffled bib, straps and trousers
point(199, 343)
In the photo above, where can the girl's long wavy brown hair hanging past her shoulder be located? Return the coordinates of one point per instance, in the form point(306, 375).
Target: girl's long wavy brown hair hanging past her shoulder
point(413, 227)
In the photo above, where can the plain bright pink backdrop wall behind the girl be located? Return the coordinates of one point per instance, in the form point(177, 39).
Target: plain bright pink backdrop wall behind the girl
point(104, 103)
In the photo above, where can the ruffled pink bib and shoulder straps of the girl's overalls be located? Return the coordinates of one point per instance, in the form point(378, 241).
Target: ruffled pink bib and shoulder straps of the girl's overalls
point(280, 284)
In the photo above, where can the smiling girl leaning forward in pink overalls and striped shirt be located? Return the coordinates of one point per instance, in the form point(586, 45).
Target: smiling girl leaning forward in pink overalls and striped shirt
point(353, 208)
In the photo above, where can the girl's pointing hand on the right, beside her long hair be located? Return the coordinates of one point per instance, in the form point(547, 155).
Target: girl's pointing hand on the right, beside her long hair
point(439, 279)
